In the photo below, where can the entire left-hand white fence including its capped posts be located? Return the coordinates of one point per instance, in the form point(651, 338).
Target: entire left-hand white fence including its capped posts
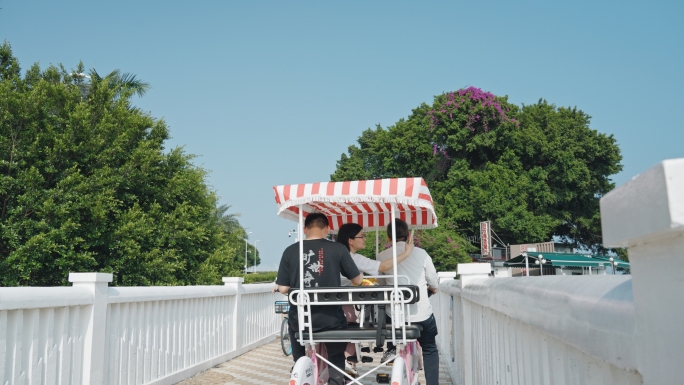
point(94, 334)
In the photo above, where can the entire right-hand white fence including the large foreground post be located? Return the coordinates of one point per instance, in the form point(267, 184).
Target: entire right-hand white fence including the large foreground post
point(579, 329)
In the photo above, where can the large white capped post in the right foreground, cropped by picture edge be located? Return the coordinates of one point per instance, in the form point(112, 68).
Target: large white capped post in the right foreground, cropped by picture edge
point(646, 215)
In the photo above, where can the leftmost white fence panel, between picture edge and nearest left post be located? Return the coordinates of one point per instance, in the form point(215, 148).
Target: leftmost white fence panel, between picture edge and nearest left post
point(42, 333)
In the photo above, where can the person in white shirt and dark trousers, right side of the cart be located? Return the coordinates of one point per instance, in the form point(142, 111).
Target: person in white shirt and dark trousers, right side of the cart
point(420, 270)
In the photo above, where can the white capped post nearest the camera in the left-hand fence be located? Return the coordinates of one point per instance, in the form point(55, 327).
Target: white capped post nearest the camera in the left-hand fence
point(94, 344)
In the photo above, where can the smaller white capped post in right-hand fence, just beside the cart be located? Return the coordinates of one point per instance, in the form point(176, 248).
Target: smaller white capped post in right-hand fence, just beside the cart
point(468, 273)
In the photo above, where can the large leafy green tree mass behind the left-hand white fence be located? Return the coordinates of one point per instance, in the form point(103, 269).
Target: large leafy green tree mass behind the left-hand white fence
point(87, 185)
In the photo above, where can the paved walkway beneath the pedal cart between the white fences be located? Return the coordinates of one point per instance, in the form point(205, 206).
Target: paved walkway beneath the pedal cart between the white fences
point(268, 365)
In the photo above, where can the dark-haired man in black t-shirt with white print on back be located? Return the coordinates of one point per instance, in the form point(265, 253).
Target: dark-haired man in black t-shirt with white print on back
point(324, 261)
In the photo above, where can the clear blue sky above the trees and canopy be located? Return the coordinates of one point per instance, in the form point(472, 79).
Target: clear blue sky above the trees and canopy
point(273, 92)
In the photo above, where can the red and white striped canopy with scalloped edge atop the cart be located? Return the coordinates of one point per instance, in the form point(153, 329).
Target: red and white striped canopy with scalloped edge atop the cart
point(366, 202)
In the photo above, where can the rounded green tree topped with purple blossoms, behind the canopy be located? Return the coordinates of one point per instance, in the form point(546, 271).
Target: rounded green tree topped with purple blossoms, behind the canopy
point(535, 172)
